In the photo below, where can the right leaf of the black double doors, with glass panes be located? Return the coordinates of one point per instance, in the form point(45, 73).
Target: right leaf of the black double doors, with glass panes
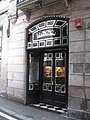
point(60, 88)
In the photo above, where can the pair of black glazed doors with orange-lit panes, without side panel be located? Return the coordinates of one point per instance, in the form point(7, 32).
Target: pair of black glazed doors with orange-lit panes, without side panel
point(54, 78)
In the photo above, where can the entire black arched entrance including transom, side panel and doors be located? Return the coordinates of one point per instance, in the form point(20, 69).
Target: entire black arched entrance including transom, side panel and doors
point(47, 62)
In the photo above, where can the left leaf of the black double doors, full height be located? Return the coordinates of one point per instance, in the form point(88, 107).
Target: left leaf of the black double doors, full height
point(47, 85)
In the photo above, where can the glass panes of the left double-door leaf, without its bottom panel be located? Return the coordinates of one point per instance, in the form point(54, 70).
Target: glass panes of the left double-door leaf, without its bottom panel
point(47, 70)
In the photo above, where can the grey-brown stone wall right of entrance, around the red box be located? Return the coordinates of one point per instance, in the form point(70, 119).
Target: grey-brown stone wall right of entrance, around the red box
point(79, 62)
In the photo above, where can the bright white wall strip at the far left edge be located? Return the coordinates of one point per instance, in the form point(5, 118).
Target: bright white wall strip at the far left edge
point(4, 52)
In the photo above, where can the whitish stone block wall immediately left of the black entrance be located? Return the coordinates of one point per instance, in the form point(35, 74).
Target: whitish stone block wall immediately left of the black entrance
point(17, 61)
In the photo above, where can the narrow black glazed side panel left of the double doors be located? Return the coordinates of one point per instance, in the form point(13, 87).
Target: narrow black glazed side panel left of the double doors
point(33, 94)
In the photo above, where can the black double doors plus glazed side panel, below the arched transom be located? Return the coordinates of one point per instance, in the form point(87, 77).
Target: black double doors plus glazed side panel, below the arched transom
point(48, 78)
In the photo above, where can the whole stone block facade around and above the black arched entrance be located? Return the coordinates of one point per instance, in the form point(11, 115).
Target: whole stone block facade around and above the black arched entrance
point(14, 70)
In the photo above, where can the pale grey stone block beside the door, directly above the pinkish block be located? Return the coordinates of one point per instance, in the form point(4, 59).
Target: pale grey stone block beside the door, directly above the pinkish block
point(76, 80)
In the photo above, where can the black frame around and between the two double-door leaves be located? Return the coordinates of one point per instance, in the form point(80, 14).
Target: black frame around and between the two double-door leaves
point(41, 75)
